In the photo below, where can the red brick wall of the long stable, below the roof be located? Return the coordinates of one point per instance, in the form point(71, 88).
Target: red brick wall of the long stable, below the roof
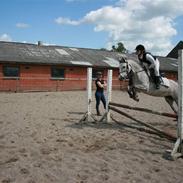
point(38, 78)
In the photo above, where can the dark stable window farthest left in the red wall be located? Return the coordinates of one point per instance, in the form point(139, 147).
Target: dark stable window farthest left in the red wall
point(11, 71)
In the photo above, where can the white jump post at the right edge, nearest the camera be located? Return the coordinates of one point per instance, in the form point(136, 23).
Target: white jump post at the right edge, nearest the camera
point(178, 148)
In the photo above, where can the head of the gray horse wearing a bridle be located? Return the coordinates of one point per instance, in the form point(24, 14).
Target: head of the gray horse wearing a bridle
point(123, 68)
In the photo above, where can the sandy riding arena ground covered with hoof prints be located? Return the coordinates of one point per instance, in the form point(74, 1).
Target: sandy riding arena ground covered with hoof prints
point(41, 142)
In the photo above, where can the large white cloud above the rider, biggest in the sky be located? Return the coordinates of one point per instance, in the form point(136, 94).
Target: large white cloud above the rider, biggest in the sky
point(135, 21)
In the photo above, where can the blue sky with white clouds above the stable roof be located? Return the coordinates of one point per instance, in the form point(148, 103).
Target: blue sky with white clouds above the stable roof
point(157, 24)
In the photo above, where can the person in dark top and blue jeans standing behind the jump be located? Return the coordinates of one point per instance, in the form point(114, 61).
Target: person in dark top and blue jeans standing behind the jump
point(99, 94)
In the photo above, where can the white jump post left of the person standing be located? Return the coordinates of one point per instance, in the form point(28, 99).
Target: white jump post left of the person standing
point(88, 117)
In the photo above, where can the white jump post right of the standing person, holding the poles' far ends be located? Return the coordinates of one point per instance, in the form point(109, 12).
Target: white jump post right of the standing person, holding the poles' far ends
point(106, 117)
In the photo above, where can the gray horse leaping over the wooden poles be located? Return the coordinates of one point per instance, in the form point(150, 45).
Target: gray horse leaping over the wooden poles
point(141, 81)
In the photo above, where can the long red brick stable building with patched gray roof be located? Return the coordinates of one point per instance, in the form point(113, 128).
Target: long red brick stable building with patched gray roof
point(31, 67)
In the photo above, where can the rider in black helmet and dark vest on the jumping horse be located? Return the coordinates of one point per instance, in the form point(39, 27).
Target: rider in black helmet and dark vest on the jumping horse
point(152, 61)
